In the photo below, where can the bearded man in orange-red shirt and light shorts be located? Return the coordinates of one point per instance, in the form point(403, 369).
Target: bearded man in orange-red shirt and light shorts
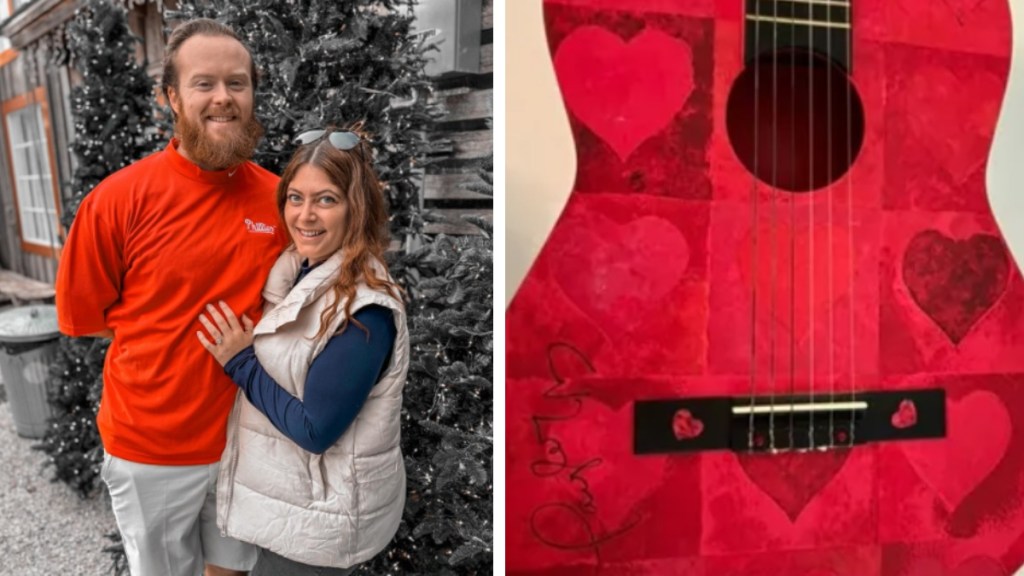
point(152, 246)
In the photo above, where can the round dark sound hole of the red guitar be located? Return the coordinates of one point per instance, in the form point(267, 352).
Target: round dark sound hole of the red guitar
point(795, 125)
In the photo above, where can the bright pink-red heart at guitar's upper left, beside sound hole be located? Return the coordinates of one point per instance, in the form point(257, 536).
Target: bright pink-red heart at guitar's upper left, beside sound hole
point(625, 93)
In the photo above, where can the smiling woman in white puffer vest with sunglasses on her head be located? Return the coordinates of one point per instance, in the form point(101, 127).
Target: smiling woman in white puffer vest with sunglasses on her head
point(313, 473)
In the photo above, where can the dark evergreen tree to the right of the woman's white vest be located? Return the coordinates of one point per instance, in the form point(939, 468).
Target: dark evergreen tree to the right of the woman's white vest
point(448, 433)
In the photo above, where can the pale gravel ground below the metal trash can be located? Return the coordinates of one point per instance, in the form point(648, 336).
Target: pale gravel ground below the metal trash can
point(47, 529)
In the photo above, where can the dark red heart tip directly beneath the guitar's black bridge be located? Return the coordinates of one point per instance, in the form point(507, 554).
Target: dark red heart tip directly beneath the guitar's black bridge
point(793, 479)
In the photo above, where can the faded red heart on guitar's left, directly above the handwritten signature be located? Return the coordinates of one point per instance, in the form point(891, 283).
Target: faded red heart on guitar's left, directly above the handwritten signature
point(618, 274)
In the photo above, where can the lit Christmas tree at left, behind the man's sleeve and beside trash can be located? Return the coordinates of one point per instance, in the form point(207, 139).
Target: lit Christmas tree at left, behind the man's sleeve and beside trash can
point(113, 129)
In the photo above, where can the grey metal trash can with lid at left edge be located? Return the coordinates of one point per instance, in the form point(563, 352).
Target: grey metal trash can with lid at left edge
point(28, 349)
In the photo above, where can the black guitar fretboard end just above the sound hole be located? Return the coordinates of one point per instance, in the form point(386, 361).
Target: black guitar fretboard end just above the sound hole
point(822, 27)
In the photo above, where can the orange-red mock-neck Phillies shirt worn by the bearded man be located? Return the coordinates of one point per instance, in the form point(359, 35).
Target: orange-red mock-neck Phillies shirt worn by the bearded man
point(151, 246)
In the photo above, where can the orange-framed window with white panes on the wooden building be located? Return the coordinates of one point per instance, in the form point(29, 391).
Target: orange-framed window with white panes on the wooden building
point(31, 163)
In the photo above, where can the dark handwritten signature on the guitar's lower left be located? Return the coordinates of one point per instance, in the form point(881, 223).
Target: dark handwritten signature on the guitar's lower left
point(574, 524)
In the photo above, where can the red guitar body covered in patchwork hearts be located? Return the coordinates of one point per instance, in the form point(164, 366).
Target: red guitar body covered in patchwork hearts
point(677, 272)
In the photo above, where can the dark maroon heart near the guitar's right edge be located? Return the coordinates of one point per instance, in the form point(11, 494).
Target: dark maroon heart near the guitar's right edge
point(956, 282)
